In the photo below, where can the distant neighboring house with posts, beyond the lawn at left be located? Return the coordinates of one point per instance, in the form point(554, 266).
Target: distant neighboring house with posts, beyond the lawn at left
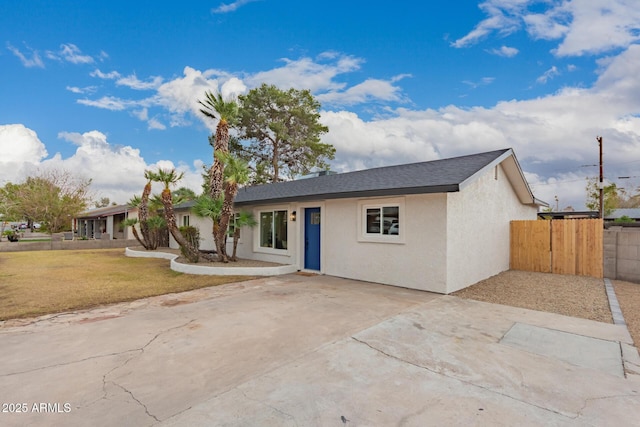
point(102, 223)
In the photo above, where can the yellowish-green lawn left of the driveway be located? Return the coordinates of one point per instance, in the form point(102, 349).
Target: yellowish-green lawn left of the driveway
point(43, 282)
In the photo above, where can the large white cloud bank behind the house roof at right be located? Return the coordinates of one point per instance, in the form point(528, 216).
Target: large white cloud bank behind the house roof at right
point(552, 135)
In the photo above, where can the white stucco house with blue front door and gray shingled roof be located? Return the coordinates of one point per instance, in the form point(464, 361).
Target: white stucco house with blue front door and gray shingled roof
point(437, 226)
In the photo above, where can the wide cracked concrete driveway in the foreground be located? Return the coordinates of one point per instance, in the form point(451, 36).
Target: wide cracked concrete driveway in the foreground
point(313, 351)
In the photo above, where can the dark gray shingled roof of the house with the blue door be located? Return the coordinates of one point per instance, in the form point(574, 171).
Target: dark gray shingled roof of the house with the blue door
point(437, 176)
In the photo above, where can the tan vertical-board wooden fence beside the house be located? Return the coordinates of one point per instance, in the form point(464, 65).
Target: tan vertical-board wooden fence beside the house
point(566, 246)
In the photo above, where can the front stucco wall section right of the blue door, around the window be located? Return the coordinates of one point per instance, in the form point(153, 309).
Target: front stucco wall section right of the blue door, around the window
point(417, 262)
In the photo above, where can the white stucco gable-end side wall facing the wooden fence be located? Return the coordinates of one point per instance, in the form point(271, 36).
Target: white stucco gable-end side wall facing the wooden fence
point(478, 229)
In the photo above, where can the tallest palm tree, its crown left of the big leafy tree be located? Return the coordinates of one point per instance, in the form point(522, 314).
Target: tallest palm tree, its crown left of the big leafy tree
point(226, 112)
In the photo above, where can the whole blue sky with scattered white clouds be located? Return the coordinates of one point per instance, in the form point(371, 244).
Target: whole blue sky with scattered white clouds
point(110, 88)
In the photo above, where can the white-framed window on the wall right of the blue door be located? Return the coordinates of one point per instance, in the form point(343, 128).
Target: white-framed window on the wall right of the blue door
point(381, 220)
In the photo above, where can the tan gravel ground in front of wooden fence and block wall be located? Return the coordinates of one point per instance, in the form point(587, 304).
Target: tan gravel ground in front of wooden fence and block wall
point(576, 296)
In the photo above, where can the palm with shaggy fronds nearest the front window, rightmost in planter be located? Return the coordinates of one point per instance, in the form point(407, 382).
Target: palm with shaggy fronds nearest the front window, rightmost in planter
point(236, 173)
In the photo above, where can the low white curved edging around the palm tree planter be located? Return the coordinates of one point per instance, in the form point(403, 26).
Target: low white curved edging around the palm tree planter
point(213, 271)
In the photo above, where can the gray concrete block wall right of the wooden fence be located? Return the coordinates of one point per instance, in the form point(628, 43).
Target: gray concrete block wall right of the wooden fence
point(622, 254)
